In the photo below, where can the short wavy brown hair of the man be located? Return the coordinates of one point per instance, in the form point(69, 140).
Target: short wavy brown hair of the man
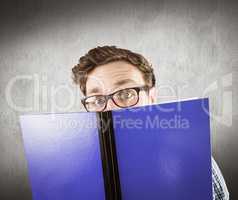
point(106, 54)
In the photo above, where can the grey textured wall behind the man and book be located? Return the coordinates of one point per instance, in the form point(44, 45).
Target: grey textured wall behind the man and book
point(192, 45)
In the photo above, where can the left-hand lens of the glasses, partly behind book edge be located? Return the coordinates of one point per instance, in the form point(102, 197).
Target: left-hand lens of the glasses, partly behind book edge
point(95, 103)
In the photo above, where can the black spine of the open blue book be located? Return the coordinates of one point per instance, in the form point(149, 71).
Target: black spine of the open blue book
point(109, 156)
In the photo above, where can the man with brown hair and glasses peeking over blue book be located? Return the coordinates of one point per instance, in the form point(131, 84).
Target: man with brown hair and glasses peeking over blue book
point(113, 78)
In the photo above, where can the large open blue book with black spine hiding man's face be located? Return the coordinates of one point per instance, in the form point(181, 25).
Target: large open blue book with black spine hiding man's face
point(160, 151)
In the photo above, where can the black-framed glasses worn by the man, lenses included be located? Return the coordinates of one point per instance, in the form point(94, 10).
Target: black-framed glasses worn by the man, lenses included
point(122, 98)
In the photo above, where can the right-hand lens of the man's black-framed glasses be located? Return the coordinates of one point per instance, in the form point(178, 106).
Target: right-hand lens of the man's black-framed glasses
point(126, 98)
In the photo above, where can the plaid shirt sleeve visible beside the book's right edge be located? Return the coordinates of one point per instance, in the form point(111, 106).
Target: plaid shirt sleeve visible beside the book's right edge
point(220, 191)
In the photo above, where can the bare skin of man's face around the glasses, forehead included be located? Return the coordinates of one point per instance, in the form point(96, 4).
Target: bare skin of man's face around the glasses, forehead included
point(114, 76)
